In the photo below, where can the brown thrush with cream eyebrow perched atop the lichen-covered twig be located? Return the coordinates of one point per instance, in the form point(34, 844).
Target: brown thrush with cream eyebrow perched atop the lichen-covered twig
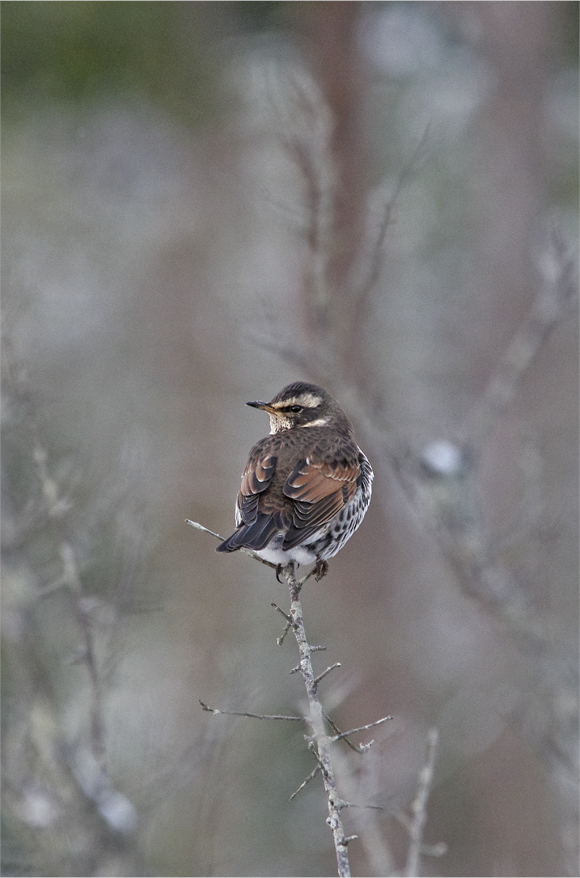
point(306, 486)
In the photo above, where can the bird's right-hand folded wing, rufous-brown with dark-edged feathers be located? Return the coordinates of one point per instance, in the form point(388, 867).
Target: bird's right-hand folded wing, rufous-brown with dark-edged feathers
point(319, 491)
